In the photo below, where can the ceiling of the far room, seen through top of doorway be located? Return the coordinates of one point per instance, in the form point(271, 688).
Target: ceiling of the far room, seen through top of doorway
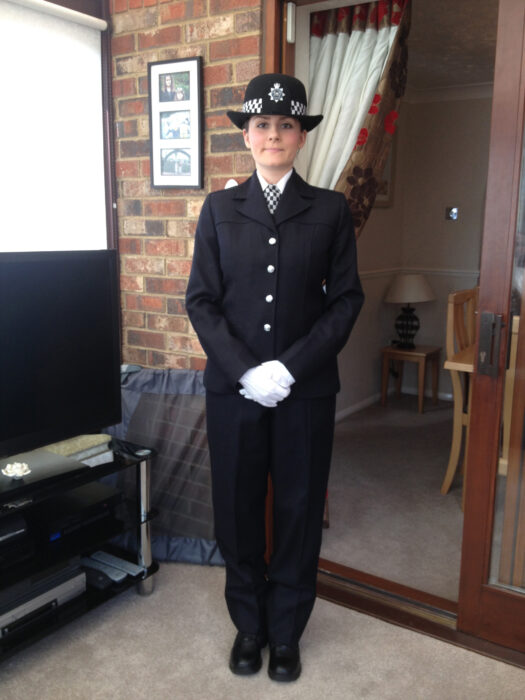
point(451, 43)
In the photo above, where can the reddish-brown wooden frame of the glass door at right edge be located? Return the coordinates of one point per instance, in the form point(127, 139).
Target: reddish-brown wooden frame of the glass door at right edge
point(484, 610)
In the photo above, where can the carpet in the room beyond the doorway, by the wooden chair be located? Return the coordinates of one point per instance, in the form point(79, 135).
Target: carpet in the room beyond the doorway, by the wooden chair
point(387, 514)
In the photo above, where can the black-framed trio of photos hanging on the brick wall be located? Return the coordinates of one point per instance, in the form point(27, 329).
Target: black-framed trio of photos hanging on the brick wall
point(175, 109)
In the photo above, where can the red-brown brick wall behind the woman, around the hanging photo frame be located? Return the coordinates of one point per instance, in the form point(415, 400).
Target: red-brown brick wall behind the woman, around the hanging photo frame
point(157, 226)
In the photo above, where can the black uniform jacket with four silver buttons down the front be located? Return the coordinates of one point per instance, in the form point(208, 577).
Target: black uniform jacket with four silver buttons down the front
point(282, 287)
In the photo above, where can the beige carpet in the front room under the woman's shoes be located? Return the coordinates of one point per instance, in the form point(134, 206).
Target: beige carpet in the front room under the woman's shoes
point(175, 644)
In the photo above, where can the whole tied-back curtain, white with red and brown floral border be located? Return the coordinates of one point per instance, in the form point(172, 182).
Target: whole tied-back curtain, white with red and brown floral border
point(358, 62)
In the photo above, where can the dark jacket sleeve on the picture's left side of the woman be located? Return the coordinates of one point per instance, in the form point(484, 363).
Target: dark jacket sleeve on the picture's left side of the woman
point(204, 303)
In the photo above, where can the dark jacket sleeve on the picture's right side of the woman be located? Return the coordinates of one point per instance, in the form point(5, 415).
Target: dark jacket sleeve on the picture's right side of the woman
point(344, 299)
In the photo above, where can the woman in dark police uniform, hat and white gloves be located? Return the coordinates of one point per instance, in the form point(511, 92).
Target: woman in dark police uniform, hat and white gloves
point(273, 295)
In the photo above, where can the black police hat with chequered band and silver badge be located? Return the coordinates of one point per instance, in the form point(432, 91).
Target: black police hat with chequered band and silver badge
point(275, 93)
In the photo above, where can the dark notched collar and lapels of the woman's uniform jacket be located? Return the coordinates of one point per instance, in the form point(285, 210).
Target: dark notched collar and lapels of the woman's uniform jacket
point(250, 201)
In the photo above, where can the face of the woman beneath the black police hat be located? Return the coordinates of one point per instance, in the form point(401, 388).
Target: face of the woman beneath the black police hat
point(274, 142)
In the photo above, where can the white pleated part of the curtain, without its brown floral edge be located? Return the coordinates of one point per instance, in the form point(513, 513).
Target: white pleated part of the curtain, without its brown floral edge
point(345, 68)
